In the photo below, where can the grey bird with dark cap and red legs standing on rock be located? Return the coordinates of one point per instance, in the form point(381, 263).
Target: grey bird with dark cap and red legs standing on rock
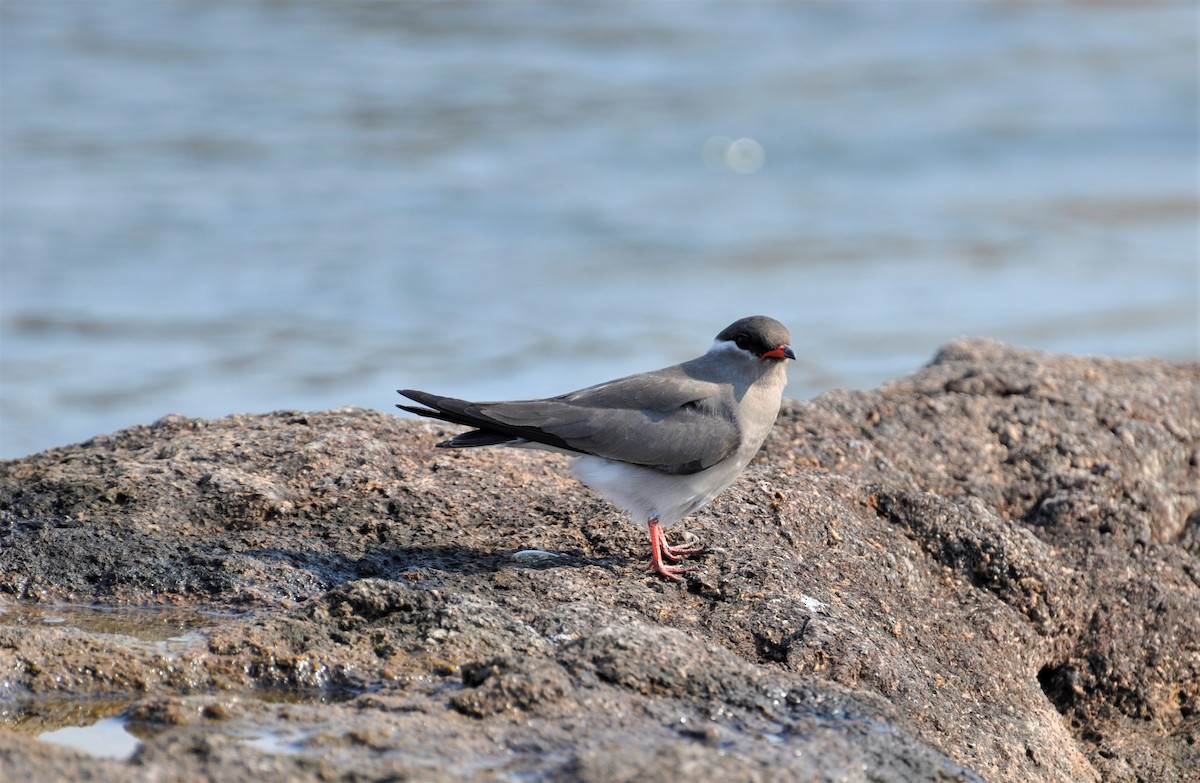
point(658, 445)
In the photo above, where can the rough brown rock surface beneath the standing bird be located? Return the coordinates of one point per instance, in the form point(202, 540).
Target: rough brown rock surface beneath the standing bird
point(988, 571)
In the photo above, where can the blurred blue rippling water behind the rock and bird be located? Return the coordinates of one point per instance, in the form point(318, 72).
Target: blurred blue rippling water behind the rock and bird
point(225, 207)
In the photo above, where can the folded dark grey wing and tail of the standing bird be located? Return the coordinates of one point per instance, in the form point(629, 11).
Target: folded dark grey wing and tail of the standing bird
point(663, 421)
